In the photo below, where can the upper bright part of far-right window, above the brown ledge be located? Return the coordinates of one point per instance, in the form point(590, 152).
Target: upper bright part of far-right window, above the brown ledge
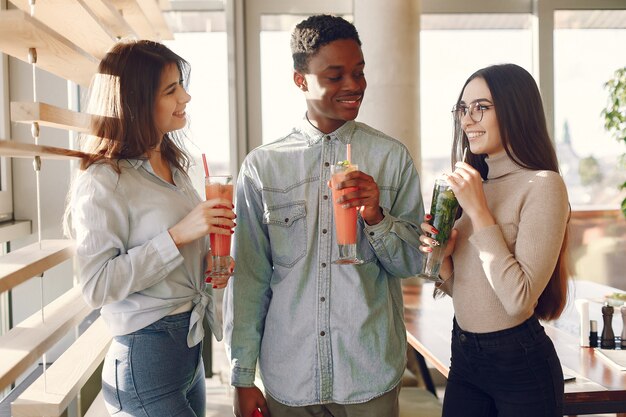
point(588, 155)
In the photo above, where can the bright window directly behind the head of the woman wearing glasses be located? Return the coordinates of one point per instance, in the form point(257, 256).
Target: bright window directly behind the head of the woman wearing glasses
point(452, 47)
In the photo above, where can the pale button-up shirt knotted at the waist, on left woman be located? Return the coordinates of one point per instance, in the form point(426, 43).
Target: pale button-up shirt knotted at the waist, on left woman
point(128, 263)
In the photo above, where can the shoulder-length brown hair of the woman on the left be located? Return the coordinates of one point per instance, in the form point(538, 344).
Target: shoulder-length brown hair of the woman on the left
point(121, 102)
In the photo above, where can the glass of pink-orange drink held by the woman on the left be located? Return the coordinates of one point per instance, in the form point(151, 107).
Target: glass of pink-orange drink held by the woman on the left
point(219, 186)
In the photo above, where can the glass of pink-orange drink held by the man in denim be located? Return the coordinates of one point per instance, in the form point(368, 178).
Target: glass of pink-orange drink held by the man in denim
point(345, 218)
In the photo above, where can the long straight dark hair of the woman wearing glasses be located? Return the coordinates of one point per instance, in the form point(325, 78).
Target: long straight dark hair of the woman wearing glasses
point(525, 138)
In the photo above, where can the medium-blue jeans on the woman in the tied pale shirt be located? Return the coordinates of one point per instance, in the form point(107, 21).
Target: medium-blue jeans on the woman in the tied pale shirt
point(152, 372)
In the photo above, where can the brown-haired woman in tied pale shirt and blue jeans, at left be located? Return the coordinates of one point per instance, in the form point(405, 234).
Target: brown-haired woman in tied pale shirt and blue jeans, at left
point(141, 234)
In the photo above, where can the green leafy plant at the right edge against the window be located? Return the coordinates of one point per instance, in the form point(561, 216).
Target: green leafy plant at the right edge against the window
point(615, 115)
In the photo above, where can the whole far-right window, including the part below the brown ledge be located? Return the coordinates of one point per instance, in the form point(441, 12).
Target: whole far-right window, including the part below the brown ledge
point(588, 155)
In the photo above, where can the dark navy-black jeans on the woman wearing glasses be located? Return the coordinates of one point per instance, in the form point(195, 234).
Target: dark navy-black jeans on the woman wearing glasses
point(508, 373)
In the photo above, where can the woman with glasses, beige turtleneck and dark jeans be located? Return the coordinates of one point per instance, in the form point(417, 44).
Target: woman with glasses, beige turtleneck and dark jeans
point(505, 265)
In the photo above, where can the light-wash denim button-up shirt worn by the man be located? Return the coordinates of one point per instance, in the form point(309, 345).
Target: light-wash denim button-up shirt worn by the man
point(321, 332)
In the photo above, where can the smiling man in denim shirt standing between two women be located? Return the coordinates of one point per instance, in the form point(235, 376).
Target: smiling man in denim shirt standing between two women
point(330, 339)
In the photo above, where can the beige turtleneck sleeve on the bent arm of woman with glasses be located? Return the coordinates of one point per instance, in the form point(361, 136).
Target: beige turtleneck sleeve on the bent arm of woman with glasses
point(518, 277)
